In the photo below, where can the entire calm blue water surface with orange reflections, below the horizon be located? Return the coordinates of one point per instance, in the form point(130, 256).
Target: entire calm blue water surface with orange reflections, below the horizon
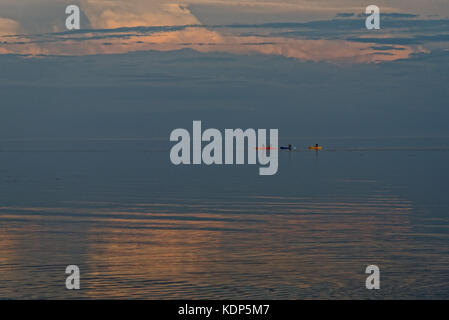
point(141, 228)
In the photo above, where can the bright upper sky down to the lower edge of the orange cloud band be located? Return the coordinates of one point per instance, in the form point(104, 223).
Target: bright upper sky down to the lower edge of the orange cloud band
point(288, 28)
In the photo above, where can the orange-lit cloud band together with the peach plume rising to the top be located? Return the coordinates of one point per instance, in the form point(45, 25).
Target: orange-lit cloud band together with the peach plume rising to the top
point(137, 25)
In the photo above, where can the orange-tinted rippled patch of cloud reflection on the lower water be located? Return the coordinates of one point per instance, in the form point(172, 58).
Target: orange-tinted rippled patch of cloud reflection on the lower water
point(255, 248)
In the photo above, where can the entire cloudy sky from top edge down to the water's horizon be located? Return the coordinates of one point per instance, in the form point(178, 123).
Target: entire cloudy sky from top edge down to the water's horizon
point(139, 68)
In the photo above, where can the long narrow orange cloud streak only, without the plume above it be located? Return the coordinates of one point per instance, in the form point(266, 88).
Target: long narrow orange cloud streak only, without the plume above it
point(204, 40)
